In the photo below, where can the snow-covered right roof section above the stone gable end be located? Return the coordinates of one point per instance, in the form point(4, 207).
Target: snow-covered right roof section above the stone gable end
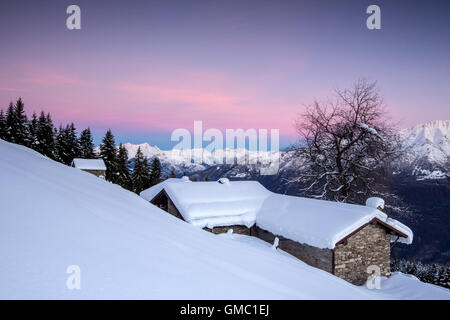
point(319, 223)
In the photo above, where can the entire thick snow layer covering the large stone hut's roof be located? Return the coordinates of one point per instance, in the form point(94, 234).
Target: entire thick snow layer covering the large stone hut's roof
point(318, 223)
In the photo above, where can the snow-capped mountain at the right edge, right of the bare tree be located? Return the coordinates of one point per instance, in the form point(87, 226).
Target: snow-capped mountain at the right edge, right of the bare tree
point(427, 150)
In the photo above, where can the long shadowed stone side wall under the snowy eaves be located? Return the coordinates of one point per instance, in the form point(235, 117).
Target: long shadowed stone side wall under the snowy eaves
point(316, 257)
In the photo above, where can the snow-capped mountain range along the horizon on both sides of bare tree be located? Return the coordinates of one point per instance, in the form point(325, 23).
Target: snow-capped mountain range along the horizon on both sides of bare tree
point(426, 156)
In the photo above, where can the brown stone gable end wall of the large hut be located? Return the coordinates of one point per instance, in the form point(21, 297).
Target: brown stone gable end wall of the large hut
point(369, 246)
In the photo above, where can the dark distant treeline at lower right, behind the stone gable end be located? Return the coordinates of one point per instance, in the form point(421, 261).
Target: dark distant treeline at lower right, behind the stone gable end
point(431, 273)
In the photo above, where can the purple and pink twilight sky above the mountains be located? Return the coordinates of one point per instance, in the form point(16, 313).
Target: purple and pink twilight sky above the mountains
point(146, 68)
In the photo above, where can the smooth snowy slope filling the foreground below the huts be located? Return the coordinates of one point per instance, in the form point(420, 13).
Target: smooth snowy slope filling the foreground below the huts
point(53, 216)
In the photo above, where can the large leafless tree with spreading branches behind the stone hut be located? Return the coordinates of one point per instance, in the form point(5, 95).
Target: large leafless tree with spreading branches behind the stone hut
point(347, 146)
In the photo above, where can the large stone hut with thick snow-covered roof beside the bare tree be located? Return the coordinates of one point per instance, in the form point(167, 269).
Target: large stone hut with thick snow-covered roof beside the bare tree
point(349, 241)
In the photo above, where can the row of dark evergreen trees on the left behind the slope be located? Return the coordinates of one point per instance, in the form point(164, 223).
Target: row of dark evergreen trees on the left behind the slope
point(63, 144)
